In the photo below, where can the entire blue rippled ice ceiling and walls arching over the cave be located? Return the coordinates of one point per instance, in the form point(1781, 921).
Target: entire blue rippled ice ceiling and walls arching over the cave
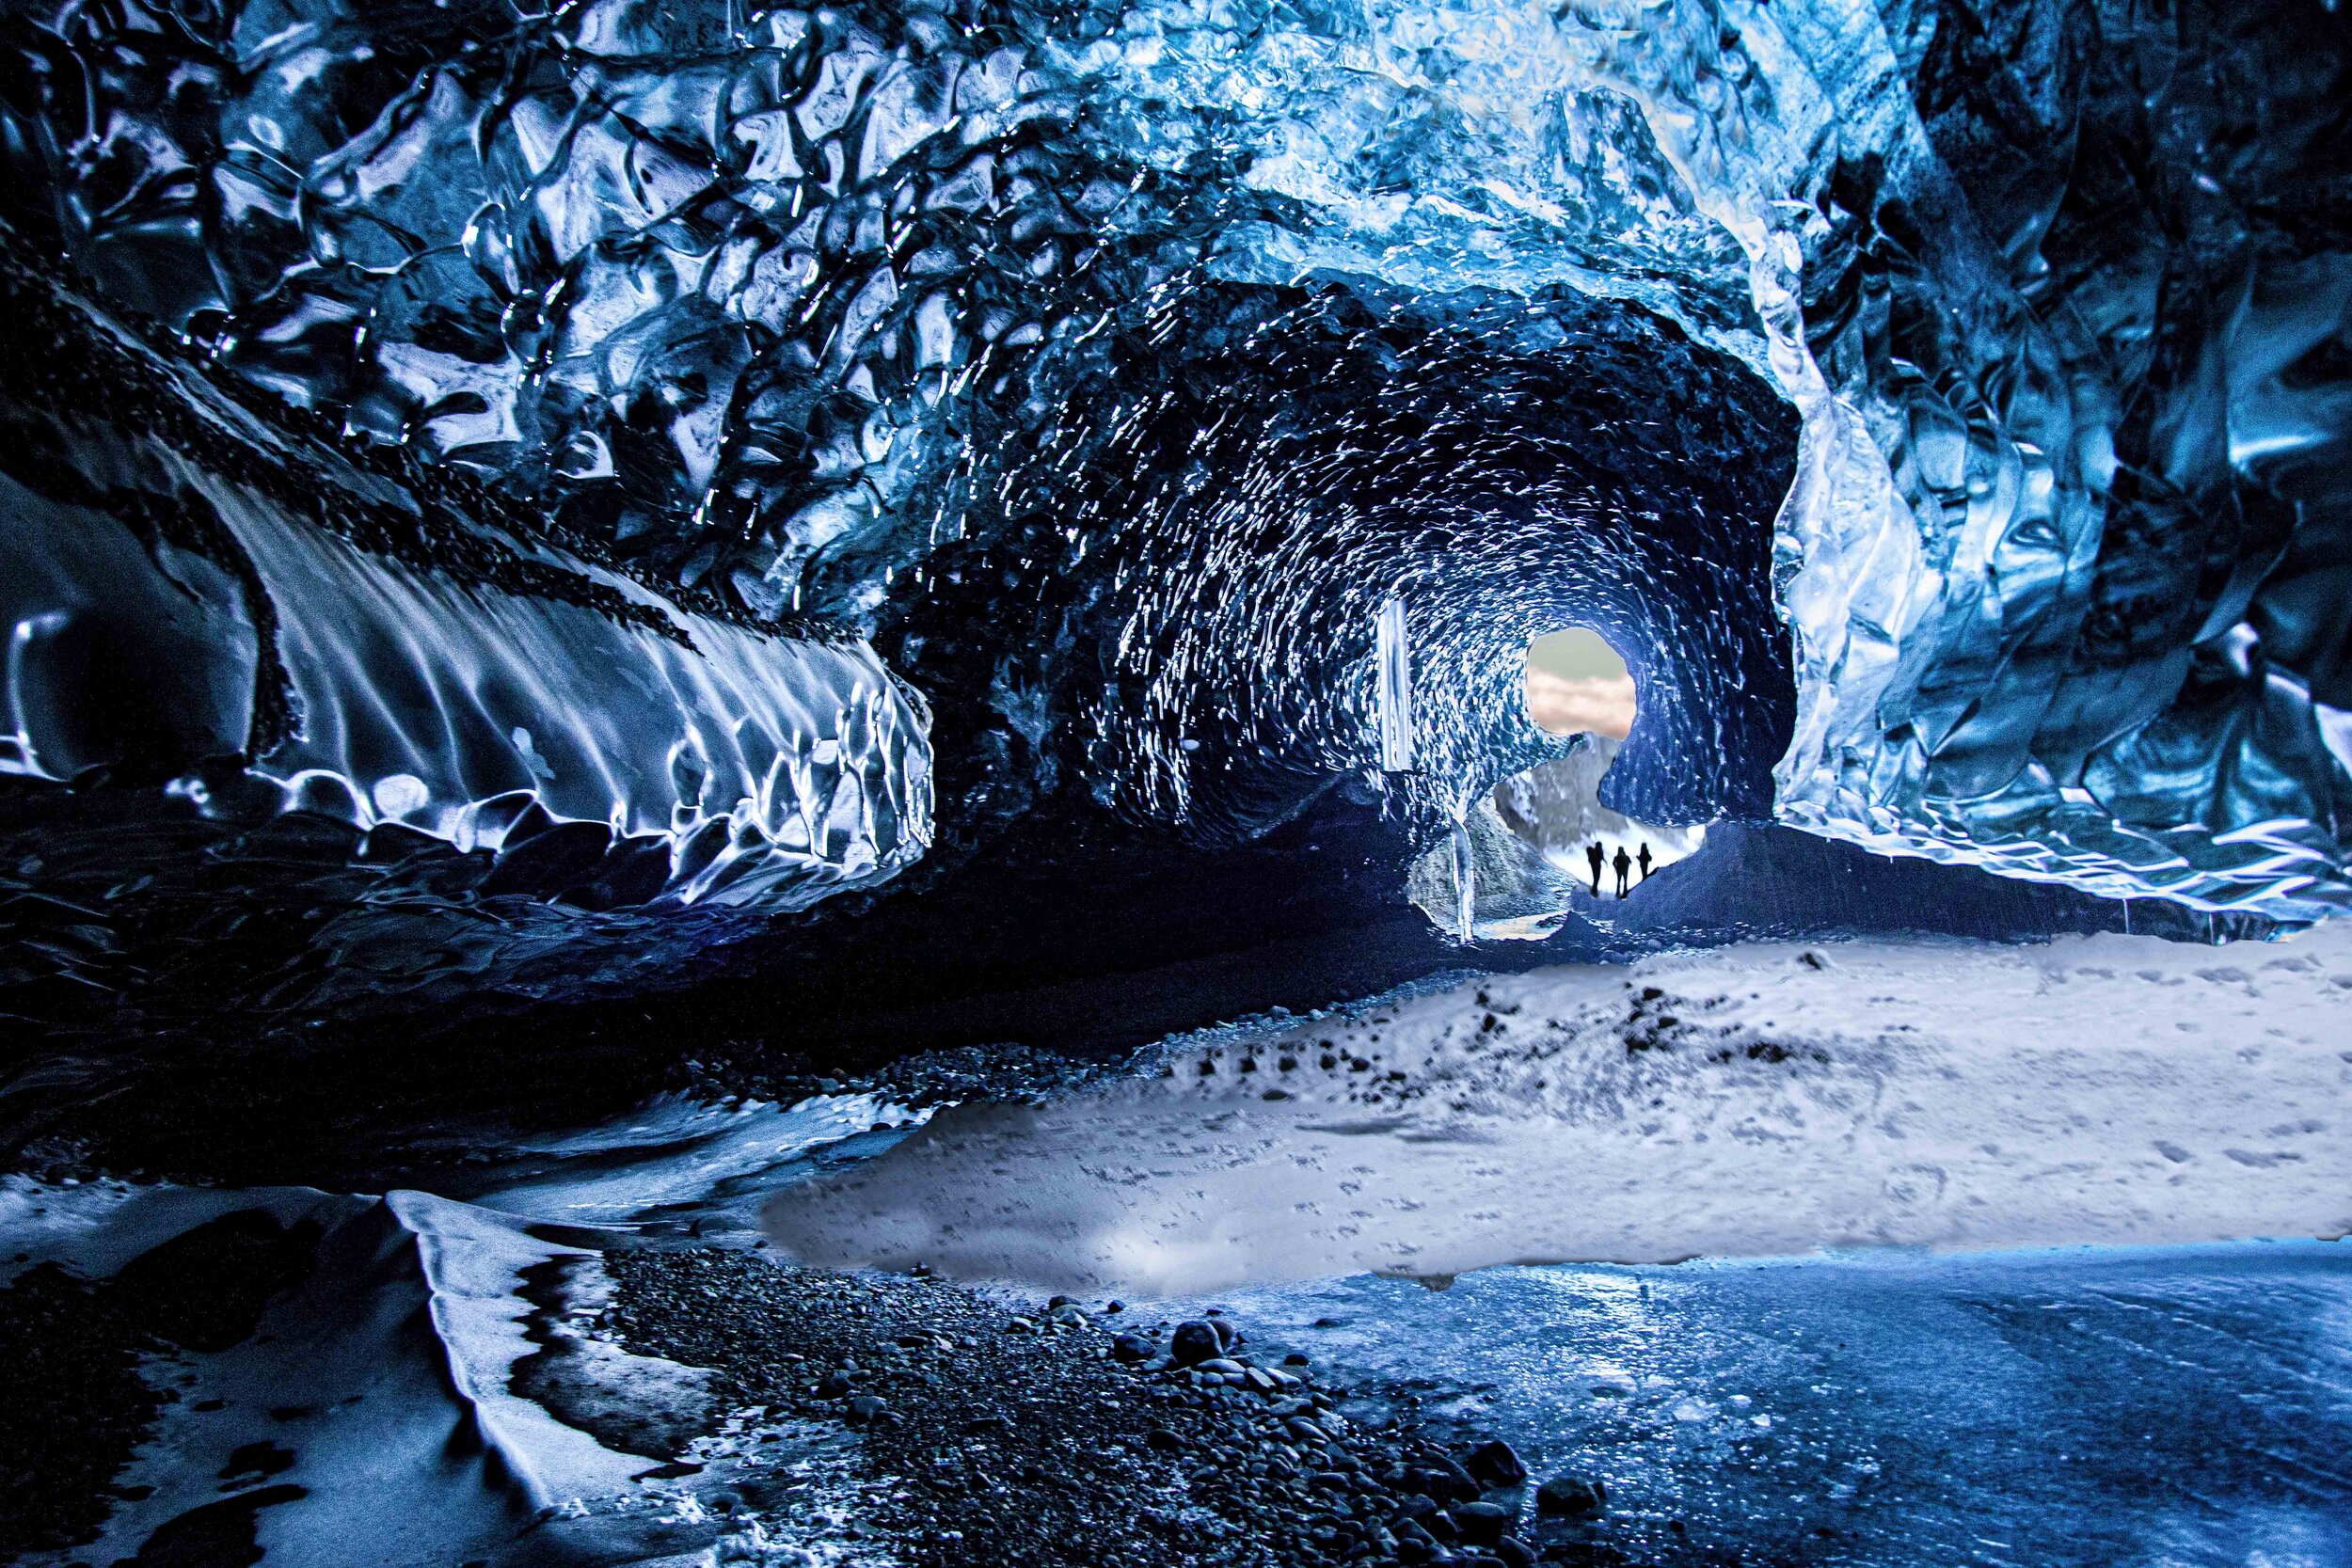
point(669, 464)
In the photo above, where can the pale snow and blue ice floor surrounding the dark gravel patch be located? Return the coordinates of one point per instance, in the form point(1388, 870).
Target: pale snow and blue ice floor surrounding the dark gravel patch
point(1899, 1407)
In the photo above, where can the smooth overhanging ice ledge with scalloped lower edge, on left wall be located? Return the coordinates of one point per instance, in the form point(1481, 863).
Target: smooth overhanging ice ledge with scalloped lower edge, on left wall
point(192, 587)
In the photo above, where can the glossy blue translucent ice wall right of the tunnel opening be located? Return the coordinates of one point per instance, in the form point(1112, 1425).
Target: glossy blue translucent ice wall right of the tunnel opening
point(2062, 300)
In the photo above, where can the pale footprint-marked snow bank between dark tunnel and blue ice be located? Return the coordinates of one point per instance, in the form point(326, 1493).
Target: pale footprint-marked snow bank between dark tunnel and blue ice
point(1753, 1101)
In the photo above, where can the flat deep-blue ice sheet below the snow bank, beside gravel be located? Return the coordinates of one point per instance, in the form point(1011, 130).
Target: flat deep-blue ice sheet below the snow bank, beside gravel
point(2104, 1407)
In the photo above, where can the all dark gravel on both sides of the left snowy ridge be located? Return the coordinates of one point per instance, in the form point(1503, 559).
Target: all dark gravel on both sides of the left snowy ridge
point(977, 1433)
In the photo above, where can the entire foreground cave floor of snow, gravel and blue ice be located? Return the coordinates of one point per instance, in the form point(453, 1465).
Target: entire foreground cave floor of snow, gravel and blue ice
point(592, 1346)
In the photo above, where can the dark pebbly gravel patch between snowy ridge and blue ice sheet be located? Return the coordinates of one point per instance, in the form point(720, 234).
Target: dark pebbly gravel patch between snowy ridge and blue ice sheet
point(1081, 1438)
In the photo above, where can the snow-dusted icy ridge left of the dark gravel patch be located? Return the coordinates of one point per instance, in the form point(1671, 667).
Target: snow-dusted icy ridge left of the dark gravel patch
point(441, 1355)
